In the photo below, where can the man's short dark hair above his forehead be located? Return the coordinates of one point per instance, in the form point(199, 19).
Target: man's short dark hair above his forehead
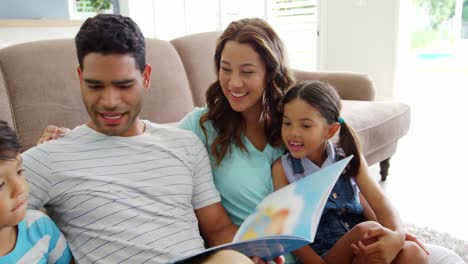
point(111, 34)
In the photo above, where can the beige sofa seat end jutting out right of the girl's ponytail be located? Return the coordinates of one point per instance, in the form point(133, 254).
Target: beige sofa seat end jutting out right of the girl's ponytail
point(378, 124)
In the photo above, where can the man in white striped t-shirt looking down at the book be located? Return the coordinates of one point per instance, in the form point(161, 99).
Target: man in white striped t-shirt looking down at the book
point(125, 190)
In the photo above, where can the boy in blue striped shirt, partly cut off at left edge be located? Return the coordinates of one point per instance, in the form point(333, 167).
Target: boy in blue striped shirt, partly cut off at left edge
point(26, 236)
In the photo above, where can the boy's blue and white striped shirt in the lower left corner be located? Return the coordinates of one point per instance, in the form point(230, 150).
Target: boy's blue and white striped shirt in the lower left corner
point(39, 241)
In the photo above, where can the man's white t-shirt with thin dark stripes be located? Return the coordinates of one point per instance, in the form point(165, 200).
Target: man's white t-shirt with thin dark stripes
point(124, 199)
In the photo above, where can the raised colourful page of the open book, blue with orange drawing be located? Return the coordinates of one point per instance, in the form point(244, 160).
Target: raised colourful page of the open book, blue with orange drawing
point(294, 210)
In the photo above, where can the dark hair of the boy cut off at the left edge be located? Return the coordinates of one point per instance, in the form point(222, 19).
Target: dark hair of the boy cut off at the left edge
point(10, 145)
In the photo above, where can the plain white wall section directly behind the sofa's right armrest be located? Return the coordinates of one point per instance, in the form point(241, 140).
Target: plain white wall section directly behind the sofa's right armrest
point(361, 36)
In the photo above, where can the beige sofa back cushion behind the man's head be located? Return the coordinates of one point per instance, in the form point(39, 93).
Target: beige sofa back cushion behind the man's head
point(31, 70)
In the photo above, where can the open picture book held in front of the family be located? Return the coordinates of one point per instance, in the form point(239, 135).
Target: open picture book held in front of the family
point(286, 219)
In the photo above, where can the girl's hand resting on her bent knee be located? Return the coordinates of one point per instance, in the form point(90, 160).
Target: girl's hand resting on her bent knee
point(384, 250)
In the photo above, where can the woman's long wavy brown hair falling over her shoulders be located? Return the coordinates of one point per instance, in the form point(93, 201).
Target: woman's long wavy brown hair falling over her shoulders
point(228, 123)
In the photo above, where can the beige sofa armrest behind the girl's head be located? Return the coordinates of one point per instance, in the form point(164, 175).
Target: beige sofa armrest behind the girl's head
point(350, 86)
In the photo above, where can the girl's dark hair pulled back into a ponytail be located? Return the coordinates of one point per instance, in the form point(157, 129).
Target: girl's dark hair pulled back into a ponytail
point(326, 100)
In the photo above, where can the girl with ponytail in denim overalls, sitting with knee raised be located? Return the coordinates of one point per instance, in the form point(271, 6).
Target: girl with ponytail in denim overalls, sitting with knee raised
point(311, 117)
